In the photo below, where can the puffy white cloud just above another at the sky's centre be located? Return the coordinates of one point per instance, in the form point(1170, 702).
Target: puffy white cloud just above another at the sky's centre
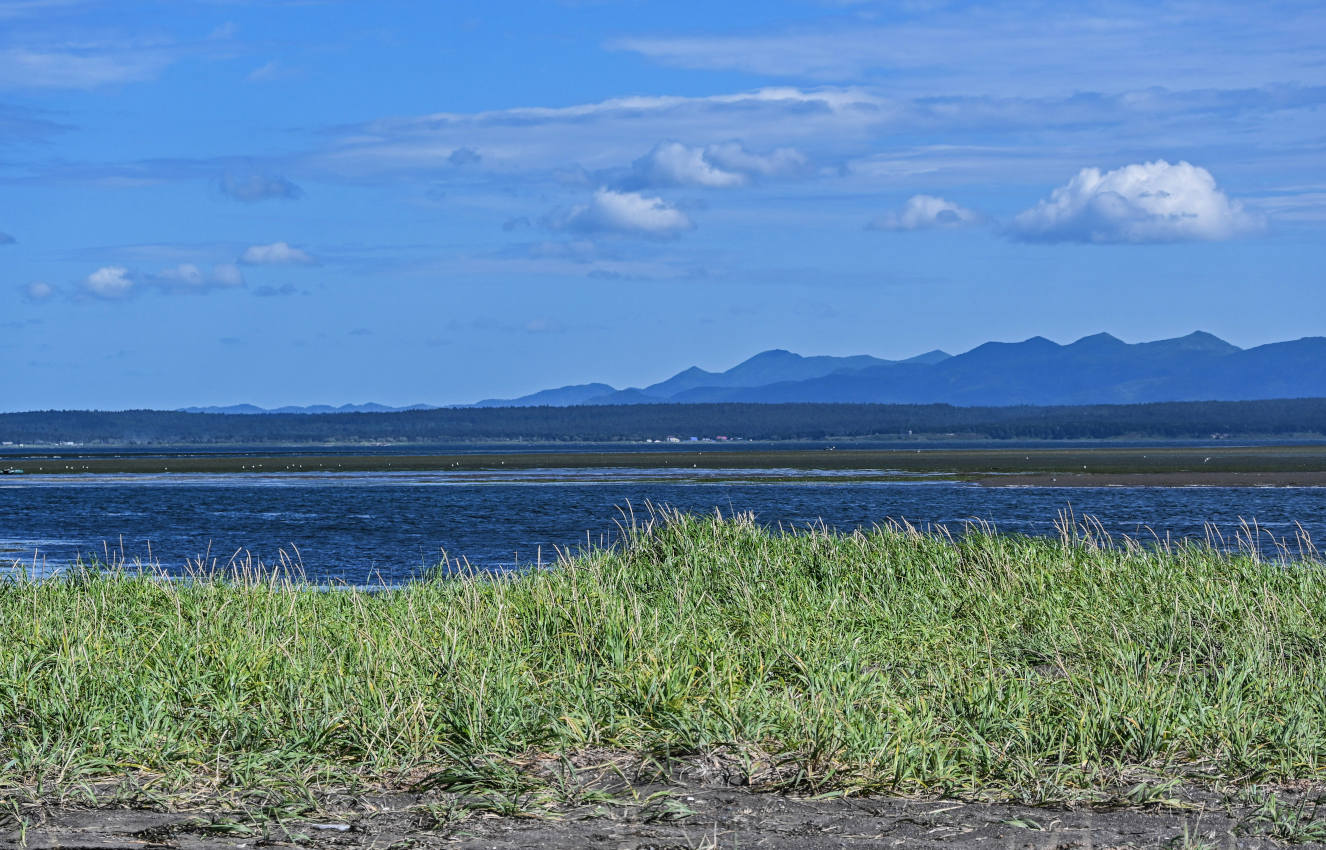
point(715, 166)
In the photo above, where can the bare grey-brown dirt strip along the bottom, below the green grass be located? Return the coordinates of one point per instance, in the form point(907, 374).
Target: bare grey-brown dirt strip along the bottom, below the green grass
point(672, 818)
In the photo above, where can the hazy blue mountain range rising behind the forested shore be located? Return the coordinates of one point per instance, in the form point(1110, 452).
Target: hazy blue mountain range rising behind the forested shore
point(1095, 371)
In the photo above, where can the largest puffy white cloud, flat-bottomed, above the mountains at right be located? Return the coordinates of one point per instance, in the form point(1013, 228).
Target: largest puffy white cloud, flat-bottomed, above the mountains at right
point(1153, 202)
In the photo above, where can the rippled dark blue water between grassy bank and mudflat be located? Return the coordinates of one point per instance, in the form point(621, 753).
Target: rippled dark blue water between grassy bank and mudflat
point(371, 528)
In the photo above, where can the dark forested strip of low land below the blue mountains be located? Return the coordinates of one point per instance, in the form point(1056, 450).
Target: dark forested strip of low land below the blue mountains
point(644, 422)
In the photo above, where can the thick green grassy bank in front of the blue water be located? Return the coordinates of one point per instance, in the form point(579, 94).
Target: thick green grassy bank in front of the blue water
point(889, 661)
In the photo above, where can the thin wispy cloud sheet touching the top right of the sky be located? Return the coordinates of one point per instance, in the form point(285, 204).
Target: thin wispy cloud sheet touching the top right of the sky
point(995, 48)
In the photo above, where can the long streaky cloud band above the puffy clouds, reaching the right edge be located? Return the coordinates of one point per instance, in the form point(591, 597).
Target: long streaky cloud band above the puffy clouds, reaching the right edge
point(867, 136)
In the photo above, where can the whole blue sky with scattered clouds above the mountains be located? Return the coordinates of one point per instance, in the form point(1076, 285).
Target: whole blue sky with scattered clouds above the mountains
point(213, 202)
